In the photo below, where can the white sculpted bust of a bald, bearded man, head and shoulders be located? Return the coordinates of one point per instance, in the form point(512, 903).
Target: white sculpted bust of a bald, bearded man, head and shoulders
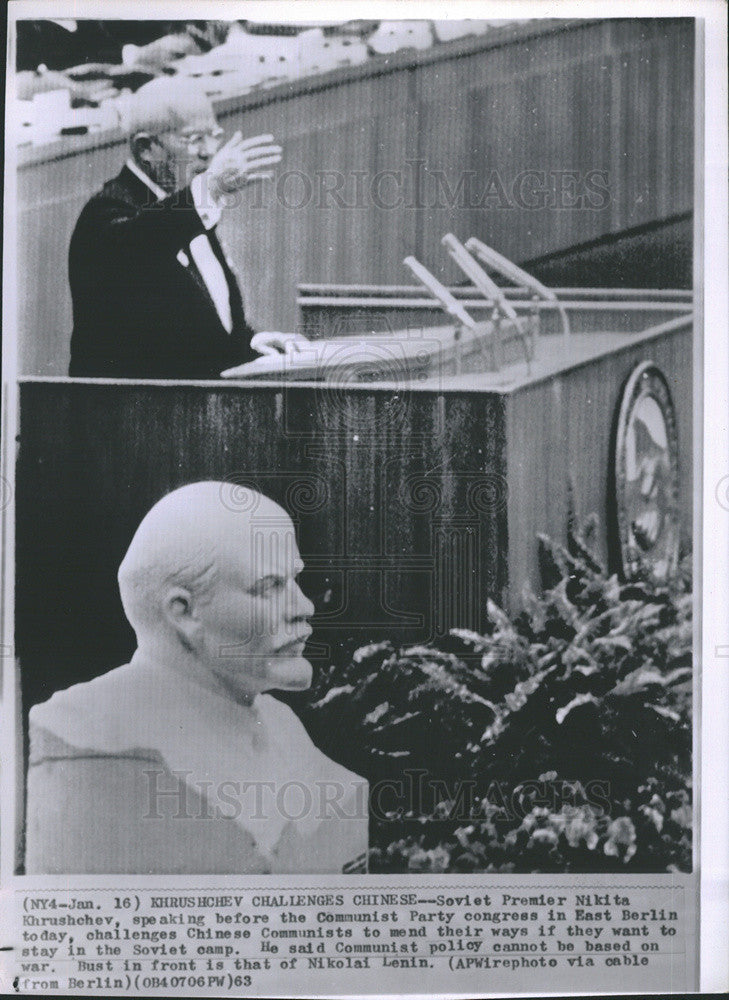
point(181, 760)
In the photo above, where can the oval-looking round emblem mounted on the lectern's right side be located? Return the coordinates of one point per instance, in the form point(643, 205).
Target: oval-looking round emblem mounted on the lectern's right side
point(646, 475)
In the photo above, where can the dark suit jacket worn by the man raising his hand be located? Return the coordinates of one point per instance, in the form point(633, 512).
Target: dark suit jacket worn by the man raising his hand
point(138, 312)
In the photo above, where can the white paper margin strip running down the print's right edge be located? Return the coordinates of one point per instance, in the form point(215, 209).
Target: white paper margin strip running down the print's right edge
point(714, 759)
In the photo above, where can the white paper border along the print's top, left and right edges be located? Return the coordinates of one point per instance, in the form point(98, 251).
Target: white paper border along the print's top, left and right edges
point(712, 491)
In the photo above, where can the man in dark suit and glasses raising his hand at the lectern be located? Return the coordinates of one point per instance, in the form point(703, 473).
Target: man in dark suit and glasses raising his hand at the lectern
point(154, 295)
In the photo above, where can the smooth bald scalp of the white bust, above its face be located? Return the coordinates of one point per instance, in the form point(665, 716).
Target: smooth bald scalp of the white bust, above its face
point(191, 538)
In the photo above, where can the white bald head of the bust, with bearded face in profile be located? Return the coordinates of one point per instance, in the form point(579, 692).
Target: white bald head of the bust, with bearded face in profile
point(209, 582)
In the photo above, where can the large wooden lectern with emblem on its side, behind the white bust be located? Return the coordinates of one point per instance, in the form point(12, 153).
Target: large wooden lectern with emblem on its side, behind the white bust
point(418, 467)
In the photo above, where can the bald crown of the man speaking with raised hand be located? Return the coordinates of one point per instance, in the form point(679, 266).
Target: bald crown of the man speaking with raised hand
point(167, 104)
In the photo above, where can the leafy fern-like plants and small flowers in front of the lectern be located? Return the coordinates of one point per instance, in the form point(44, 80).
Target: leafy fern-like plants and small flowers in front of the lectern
point(556, 741)
